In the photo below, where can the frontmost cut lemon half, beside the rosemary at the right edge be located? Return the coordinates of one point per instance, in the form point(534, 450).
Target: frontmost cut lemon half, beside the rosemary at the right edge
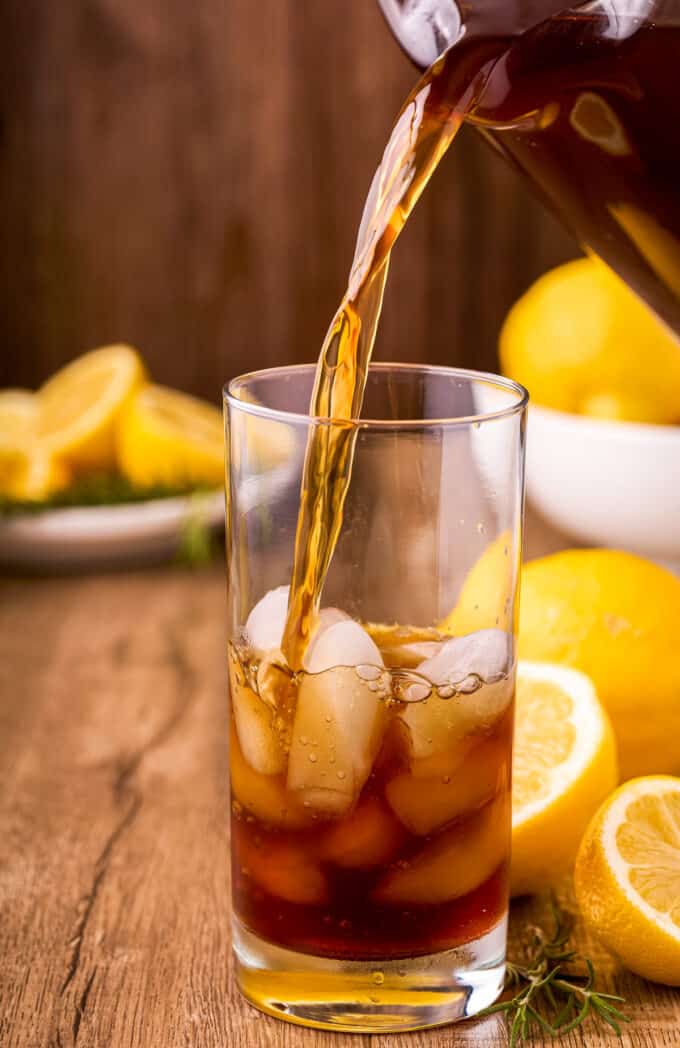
point(628, 877)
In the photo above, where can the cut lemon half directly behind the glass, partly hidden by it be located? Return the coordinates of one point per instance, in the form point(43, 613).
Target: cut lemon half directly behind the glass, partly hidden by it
point(564, 767)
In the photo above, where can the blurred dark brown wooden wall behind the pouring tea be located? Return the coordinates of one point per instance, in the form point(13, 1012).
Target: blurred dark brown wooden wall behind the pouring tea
point(189, 178)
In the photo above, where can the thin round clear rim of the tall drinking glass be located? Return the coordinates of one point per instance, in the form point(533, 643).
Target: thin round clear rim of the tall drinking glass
point(480, 378)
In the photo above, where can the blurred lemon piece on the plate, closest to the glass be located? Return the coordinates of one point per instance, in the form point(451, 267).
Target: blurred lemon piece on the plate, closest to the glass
point(167, 438)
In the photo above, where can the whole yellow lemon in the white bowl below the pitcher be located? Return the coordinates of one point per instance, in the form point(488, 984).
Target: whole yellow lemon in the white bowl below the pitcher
point(582, 342)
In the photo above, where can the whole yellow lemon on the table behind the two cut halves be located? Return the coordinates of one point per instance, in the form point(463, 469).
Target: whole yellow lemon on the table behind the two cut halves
point(616, 618)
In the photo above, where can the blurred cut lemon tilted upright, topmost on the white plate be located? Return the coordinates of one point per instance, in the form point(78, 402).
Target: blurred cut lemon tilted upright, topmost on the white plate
point(80, 406)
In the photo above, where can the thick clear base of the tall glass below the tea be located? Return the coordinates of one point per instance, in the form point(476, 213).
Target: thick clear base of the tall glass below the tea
point(370, 997)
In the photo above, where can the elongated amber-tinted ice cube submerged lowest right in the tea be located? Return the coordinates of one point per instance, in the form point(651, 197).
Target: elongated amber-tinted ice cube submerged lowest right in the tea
point(457, 862)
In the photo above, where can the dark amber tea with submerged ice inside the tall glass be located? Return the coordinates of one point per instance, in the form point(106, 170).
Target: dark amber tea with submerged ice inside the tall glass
point(394, 856)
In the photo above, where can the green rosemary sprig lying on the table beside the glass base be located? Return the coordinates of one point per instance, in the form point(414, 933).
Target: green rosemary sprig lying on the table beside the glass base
point(555, 990)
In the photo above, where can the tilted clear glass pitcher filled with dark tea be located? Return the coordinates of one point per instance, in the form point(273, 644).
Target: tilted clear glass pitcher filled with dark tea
point(585, 103)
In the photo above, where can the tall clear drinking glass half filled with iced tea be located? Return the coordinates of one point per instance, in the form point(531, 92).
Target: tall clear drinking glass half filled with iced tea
point(371, 789)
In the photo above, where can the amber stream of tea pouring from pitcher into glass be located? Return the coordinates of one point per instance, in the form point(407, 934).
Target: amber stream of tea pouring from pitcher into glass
point(425, 129)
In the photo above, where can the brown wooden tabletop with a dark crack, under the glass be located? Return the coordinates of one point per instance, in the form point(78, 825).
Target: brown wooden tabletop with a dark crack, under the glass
point(115, 907)
